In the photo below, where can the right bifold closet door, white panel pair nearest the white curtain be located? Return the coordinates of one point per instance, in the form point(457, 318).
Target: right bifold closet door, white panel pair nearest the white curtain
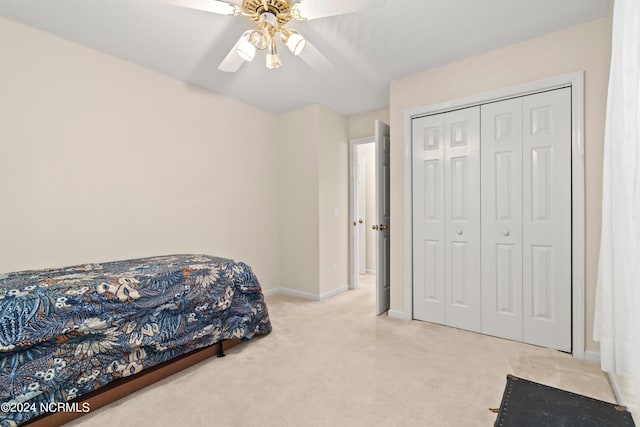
point(526, 219)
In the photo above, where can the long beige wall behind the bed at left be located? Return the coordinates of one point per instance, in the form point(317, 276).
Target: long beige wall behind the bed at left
point(101, 160)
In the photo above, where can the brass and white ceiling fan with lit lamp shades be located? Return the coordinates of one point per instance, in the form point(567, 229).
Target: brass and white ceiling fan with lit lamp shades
point(270, 17)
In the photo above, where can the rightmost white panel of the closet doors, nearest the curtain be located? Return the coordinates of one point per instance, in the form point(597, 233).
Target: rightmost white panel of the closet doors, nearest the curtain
point(547, 219)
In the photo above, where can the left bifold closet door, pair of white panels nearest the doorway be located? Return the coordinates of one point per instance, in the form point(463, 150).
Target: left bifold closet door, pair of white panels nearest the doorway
point(446, 211)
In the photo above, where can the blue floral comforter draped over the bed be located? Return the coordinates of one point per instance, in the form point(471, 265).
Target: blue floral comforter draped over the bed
point(66, 332)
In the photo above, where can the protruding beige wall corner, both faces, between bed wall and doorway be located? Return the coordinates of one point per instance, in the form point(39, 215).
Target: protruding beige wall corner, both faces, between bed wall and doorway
point(313, 204)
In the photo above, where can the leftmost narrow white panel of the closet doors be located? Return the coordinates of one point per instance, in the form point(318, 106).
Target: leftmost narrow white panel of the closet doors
point(428, 219)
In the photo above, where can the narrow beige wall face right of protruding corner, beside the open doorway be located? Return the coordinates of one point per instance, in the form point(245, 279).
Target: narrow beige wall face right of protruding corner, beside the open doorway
point(333, 181)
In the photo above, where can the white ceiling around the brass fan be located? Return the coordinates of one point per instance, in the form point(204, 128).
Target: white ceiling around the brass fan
point(367, 49)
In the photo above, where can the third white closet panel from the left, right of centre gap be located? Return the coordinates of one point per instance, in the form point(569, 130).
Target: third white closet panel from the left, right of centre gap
point(501, 159)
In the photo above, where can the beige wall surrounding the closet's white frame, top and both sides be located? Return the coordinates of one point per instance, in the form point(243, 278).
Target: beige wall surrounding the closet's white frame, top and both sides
point(584, 47)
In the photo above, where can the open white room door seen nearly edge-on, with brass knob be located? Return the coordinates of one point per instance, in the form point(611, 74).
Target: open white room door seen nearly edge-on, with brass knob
point(383, 144)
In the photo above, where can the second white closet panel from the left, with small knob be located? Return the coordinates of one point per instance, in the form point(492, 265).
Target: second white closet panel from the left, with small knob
point(462, 218)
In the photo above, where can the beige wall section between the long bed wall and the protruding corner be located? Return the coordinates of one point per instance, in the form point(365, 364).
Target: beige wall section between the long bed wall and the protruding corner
point(298, 199)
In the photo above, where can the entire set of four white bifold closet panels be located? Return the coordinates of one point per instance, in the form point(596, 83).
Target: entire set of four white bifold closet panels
point(492, 218)
